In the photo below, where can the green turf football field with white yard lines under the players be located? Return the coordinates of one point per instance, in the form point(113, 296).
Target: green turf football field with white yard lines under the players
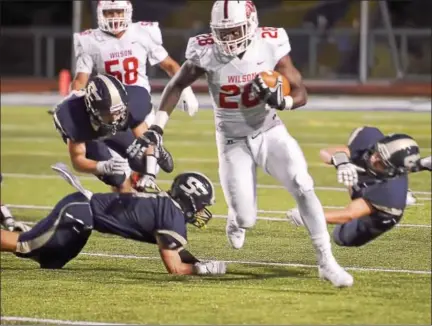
point(270, 280)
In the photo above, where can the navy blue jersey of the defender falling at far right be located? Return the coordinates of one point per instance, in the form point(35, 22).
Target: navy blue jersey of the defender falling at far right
point(387, 196)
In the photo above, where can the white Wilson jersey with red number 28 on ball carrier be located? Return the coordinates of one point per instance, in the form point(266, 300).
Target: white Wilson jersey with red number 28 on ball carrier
point(238, 112)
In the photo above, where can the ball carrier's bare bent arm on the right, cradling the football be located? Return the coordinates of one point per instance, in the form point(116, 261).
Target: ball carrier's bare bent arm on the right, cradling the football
point(286, 67)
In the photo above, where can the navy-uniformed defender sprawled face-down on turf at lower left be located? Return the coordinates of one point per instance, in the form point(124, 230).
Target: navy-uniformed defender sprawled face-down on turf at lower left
point(159, 218)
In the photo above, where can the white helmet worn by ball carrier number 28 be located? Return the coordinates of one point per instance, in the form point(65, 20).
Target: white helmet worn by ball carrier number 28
point(233, 24)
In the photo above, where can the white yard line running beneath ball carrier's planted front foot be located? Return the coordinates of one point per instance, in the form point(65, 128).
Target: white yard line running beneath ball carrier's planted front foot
point(244, 262)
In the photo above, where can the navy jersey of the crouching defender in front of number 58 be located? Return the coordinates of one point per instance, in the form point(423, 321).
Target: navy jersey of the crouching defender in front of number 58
point(73, 122)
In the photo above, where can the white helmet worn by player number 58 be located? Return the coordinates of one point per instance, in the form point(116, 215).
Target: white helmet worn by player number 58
point(116, 24)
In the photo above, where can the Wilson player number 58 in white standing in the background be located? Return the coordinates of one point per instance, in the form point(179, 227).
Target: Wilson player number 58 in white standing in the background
point(122, 48)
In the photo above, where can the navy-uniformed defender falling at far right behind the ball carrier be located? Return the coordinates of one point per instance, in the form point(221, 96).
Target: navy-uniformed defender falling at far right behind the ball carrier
point(374, 167)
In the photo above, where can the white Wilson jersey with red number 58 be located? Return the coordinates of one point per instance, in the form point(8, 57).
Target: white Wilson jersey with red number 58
point(124, 58)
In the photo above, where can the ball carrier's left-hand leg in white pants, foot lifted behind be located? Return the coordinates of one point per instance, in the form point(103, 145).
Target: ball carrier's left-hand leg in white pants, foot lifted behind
point(237, 174)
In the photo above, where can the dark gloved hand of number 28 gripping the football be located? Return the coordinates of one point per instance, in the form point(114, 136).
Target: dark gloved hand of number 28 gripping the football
point(274, 96)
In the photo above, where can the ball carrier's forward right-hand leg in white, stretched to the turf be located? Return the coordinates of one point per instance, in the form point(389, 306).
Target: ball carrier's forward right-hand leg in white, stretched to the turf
point(285, 161)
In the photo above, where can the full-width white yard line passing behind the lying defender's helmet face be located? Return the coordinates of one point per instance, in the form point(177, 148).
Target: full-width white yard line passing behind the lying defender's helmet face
point(260, 186)
